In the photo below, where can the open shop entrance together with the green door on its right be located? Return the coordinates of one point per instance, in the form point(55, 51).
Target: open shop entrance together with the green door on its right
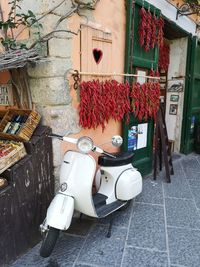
point(181, 91)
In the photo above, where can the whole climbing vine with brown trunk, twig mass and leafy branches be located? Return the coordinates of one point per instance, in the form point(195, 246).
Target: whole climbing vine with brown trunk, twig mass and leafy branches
point(18, 52)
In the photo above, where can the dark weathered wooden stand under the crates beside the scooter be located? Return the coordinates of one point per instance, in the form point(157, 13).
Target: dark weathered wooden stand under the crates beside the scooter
point(24, 202)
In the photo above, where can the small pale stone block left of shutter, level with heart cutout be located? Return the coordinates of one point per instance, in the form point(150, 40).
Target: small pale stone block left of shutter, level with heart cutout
point(60, 47)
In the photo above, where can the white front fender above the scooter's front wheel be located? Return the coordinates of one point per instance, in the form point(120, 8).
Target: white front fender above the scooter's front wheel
point(60, 212)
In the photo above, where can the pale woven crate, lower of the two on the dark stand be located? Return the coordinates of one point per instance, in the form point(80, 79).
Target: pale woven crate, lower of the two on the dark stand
point(15, 155)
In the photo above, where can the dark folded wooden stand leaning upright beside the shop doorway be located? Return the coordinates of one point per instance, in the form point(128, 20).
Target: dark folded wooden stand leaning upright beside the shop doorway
point(162, 147)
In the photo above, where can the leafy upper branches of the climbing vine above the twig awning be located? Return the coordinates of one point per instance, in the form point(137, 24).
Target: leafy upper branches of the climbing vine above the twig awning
point(20, 21)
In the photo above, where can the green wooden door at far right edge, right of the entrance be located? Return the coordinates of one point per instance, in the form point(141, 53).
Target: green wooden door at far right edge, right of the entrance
point(191, 114)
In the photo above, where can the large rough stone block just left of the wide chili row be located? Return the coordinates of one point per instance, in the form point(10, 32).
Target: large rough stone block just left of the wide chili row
point(50, 91)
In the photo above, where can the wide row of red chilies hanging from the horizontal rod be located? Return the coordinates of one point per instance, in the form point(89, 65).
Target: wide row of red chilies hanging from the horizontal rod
point(101, 101)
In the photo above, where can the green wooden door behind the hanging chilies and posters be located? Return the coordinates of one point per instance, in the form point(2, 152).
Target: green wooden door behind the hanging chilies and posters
point(136, 57)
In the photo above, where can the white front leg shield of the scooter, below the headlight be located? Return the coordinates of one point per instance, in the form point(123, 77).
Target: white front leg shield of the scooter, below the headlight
point(78, 171)
